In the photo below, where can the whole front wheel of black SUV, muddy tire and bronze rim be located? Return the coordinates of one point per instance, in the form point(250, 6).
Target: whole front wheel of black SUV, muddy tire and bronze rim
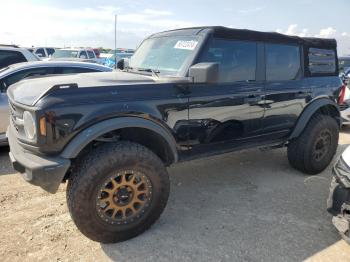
point(117, 192)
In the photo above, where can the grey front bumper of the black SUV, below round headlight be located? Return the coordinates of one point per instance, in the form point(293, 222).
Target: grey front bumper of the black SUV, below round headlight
point(46, 172)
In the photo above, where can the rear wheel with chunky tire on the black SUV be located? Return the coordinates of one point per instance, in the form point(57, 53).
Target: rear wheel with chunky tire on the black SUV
point(314, 149)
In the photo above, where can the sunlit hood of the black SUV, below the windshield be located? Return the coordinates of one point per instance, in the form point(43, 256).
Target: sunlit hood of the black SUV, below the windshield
point(29, 91)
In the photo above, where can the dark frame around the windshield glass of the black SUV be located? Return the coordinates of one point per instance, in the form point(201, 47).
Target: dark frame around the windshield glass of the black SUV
point(183, 72)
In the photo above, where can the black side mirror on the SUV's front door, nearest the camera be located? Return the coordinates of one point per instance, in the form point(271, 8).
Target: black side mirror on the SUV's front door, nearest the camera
point(204, 72)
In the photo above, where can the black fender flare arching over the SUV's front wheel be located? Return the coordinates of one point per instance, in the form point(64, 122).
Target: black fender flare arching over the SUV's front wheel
point(91, 133)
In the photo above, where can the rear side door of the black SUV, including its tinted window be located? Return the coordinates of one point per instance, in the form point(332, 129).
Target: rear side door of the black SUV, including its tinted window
point(287, 91)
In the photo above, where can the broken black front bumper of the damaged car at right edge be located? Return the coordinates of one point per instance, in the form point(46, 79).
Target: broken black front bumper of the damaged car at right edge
point(338, 204)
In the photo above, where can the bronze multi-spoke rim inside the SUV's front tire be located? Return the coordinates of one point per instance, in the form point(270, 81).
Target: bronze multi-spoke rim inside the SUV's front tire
point(124, 197)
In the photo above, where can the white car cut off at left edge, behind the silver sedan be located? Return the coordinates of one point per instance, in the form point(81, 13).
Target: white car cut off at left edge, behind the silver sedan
point(11, 54)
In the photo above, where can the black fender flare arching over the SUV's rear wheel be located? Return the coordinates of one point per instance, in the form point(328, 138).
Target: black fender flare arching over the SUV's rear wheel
point(308, 113)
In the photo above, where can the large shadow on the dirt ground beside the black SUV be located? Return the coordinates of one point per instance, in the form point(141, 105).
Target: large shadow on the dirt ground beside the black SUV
point(244, 206)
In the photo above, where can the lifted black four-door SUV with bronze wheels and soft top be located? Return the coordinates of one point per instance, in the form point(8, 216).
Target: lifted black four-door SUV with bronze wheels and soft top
point(185, 94)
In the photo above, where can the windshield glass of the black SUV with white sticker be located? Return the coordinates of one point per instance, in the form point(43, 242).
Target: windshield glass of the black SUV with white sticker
point(167, 55)
